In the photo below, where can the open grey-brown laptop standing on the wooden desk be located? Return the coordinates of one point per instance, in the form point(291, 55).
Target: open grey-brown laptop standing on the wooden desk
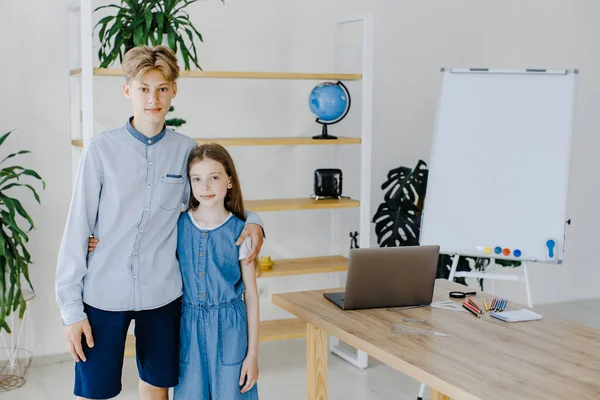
point(388, 277)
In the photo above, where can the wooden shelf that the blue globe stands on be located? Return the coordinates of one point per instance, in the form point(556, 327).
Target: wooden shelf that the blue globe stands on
point(265, 141)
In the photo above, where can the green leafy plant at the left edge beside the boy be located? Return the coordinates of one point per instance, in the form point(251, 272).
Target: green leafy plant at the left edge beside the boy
point(14, 257)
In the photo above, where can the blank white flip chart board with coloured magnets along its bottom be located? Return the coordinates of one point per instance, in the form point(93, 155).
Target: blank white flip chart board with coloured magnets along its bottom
point(499, 166)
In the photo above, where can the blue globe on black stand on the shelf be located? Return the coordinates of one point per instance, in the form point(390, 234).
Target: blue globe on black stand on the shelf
point(330, 102)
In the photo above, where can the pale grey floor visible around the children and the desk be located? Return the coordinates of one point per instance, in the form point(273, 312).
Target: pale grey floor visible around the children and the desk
point(282, 366)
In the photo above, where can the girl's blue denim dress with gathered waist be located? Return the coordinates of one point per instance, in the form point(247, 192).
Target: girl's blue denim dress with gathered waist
point(214, 322)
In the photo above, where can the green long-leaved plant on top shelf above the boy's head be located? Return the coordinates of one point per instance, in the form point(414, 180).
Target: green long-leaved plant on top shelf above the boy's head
point(145, 22)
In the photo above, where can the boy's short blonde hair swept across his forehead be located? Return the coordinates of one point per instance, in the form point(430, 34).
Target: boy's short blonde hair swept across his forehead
point(142, 59)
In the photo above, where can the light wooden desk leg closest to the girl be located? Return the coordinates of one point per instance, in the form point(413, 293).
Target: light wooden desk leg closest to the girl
point(316, 363)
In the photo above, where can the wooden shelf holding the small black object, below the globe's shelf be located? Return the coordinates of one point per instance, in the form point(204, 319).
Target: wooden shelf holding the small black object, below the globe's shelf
point(298, 204)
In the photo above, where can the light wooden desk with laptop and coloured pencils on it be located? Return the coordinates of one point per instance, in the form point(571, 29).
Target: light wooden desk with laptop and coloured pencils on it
point(483, 359)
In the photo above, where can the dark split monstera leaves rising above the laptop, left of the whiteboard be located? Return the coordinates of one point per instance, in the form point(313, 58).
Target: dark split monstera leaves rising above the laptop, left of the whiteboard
point(398, 219)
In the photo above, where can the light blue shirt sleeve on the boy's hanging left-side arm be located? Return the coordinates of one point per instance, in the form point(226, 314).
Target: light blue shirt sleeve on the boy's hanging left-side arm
point(72, 257)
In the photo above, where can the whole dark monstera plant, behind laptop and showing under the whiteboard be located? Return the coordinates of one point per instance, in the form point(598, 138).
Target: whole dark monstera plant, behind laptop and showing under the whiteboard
point(398, 219)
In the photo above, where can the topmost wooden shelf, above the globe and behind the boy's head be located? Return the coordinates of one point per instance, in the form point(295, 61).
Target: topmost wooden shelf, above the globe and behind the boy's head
point(239, 74)
